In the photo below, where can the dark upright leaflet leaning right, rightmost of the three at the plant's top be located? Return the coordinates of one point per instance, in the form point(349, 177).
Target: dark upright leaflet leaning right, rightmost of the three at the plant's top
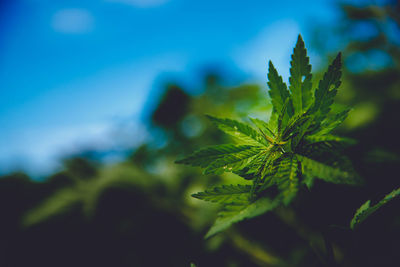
point(325, 94)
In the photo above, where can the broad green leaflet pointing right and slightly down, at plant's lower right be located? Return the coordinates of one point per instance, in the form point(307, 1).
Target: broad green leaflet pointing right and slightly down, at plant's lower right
point(326, 172)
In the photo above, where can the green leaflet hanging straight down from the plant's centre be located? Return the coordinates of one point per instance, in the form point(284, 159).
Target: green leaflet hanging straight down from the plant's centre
point(287, 177)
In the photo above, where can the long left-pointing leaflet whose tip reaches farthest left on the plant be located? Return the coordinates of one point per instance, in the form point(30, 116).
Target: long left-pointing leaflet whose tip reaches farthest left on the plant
point(208, 155)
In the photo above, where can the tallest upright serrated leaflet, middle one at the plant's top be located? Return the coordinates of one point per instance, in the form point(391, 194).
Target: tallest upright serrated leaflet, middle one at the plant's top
point(300, 78)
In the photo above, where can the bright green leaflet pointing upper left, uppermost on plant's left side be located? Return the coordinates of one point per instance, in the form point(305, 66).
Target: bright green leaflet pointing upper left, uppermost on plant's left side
point(239, 130)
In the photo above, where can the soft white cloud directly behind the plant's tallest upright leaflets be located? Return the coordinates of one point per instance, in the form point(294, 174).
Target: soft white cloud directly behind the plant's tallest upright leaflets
point(274, 43)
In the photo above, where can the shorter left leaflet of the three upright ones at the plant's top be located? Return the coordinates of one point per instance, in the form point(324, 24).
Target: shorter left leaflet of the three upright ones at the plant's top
point(278, 90)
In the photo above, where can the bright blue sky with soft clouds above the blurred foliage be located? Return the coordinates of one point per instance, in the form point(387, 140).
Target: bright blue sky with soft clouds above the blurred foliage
point(71, 70)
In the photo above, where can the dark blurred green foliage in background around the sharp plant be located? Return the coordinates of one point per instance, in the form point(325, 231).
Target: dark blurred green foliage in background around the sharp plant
point(139, 212)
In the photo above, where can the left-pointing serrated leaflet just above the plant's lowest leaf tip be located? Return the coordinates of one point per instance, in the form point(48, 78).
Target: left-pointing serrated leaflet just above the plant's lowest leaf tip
point(225, 194)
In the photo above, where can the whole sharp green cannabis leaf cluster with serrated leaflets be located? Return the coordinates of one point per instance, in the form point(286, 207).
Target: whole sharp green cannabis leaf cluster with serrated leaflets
point(279, 156)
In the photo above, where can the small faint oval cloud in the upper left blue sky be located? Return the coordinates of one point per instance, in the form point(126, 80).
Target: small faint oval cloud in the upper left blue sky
point(72, 20)
